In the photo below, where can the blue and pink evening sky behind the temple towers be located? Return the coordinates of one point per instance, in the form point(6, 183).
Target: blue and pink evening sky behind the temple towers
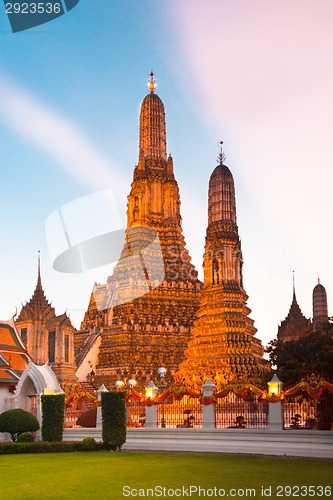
point(257, 75)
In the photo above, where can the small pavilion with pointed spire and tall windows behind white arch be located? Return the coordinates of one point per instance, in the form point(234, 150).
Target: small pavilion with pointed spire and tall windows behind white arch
point(47, 337)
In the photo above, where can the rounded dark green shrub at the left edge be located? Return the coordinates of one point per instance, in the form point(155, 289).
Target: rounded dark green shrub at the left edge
point(17, 421)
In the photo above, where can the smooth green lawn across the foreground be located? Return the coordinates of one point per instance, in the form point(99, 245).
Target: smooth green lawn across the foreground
point(103, 475)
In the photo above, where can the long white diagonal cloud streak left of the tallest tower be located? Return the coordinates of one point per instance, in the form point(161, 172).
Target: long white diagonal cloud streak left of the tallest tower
point(40, 125)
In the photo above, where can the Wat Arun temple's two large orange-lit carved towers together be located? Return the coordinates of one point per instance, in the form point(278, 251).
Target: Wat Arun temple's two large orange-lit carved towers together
point(154, 311)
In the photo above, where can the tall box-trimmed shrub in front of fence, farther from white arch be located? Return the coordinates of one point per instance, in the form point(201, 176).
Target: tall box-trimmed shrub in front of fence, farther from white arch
point(114, 419)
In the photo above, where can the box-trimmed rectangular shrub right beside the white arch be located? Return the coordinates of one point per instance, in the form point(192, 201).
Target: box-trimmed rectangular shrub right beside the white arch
point(53, 408)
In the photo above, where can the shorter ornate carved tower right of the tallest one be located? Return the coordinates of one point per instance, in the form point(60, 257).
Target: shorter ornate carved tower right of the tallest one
point(223, 347)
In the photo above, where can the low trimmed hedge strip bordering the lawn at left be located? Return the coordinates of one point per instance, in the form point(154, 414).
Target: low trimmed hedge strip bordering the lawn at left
point(47, 447)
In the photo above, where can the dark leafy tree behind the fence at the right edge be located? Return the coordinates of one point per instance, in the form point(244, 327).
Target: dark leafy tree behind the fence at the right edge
point(299, 358)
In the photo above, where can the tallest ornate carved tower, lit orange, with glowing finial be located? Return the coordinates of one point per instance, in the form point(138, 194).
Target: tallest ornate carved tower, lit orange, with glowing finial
point(152, 296)
